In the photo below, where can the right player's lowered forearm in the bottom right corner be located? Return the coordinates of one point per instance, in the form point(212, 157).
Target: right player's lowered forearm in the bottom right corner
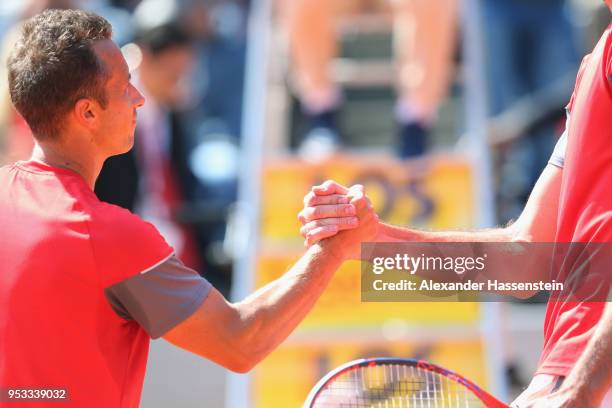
point(592, 376)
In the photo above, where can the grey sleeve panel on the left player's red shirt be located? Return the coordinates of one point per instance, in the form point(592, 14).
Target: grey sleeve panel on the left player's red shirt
point(160, 298)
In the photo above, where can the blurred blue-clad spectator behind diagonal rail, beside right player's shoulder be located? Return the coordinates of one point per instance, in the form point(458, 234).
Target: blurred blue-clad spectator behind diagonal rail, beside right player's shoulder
point(530, 45)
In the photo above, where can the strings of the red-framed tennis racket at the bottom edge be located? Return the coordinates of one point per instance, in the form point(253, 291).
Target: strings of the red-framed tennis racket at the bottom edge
point(395, 386)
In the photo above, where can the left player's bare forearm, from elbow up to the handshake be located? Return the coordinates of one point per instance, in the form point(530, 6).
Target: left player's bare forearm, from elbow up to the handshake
point(271, 313)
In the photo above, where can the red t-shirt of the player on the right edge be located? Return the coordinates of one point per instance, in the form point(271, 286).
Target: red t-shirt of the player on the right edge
point(585, 206)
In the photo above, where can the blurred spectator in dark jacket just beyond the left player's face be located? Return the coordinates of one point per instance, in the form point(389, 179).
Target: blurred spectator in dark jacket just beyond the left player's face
point(149, 179)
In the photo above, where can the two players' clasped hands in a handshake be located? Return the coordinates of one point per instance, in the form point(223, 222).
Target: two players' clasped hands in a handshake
point(338, 216)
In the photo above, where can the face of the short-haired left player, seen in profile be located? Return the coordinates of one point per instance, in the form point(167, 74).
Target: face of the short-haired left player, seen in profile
point(116, 123)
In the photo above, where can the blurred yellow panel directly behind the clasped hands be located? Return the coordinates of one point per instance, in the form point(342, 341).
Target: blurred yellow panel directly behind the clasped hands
point(433, 195)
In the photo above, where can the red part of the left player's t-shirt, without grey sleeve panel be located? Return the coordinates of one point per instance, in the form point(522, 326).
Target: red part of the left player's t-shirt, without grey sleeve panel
point(59, 248)
